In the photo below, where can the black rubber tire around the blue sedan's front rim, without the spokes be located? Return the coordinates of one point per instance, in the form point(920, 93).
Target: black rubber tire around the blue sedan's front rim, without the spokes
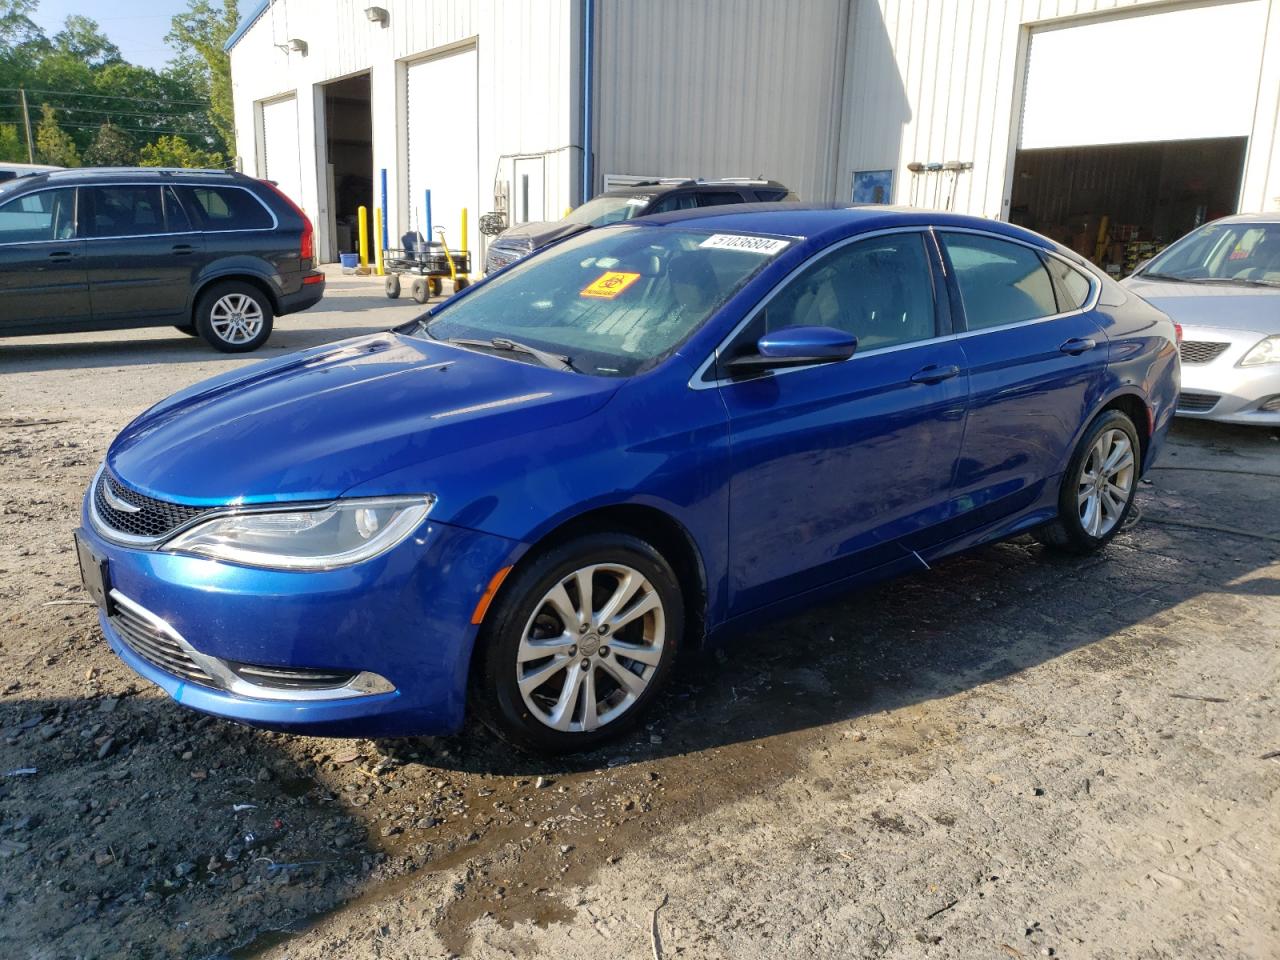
point(496, 696)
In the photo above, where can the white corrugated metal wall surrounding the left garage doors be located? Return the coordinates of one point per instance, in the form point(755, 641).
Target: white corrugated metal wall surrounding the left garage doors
point(528, 88)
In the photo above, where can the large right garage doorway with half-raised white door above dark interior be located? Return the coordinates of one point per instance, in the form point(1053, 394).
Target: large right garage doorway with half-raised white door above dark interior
point(1119, 177)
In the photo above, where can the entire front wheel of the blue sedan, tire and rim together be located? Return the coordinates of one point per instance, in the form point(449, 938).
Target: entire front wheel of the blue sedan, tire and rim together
point(578, 644)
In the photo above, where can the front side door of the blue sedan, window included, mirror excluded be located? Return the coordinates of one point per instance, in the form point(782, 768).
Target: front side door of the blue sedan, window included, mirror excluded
point(836, 465)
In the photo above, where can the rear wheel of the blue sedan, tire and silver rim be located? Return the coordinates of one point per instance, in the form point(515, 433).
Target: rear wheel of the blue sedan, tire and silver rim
point(1099, 487)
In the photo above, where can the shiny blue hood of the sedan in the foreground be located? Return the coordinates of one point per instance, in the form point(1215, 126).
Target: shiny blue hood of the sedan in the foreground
point(316, 424)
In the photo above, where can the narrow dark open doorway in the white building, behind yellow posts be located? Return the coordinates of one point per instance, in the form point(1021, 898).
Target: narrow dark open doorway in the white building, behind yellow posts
point(349, 161)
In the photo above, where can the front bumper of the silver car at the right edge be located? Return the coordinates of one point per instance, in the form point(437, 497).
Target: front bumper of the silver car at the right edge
point(1226, 392)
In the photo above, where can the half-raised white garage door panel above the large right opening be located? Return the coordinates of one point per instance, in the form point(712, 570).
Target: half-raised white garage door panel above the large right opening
point(1183, 75)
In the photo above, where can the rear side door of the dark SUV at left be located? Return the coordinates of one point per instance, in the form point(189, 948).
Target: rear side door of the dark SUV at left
point(144, 255)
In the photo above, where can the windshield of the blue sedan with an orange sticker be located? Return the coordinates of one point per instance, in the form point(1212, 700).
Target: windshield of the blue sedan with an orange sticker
point(612, 303)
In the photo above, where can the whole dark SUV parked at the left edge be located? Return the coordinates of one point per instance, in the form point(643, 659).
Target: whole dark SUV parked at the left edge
point(216, 254)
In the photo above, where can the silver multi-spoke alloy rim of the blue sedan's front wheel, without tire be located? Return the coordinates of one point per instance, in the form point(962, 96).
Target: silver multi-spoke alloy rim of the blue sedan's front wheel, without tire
point(592, 648)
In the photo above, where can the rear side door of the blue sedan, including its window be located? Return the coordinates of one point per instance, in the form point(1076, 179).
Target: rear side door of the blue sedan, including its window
point(1037, 359)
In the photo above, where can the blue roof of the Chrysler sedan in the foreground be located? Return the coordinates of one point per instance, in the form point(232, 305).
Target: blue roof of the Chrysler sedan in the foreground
point(830, 222)
